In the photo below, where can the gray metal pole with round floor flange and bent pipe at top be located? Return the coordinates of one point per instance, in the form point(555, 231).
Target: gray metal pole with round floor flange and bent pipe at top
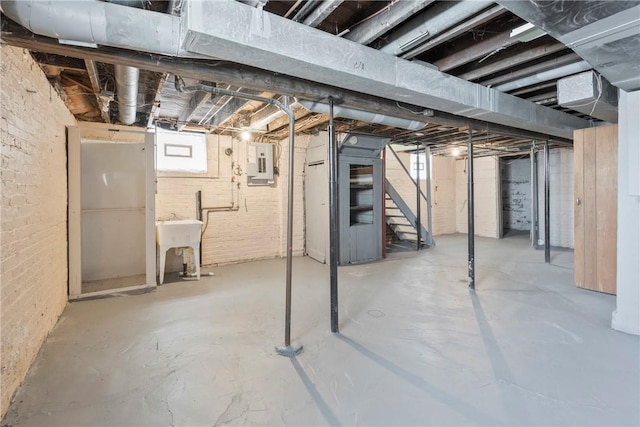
point(289, 349)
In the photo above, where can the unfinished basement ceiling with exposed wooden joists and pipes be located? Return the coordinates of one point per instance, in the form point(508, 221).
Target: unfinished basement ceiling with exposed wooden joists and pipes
point(472, 40)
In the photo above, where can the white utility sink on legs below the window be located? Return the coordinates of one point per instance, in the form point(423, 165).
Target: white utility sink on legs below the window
point(178, 234)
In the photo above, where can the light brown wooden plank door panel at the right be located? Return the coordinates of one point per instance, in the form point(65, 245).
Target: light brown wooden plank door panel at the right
point(596, 202)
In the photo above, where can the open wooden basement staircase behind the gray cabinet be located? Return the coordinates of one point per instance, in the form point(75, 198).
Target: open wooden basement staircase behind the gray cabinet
point(401, 219)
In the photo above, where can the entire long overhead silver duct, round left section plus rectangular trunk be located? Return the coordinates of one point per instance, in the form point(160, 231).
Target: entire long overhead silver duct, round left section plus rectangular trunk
point(231, 31)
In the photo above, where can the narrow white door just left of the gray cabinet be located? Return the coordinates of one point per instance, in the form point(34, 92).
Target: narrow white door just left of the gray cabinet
point(317, 211)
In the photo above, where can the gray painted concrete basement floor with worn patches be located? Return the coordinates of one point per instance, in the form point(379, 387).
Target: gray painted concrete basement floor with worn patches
point(416, 348)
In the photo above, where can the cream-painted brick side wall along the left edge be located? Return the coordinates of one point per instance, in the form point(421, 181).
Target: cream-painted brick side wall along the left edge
point(33, 231)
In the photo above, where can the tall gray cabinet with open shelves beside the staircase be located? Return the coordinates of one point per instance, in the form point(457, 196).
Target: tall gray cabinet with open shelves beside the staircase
point(361, 205)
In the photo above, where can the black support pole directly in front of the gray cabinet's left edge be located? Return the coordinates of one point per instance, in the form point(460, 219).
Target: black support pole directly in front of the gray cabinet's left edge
point(333, 220)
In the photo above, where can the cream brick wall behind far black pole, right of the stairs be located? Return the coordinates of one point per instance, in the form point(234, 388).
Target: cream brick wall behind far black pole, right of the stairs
point(486, 176)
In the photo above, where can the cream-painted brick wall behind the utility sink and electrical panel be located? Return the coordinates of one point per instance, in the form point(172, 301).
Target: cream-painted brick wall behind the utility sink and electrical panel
point(256, 228)
